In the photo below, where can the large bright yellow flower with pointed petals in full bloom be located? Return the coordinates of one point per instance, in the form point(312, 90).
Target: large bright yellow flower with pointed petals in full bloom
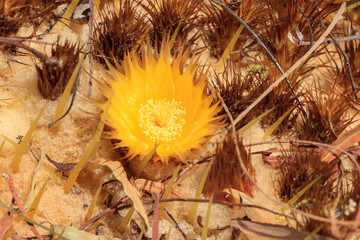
point(159, 101)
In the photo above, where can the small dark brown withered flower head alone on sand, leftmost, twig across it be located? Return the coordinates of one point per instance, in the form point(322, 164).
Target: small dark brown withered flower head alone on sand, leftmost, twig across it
point(52, 80)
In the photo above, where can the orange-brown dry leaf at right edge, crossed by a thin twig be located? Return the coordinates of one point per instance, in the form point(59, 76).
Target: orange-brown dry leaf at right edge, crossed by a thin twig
point(343, 142)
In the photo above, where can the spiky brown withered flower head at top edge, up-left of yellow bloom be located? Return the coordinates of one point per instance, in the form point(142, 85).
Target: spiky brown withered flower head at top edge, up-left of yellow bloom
point(119, 31)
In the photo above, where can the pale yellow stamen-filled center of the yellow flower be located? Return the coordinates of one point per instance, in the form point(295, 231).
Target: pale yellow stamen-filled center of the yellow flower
point(162, 120)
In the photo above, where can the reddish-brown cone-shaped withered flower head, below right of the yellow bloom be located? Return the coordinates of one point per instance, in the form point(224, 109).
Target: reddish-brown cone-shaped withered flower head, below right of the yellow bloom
point(226, 171)
